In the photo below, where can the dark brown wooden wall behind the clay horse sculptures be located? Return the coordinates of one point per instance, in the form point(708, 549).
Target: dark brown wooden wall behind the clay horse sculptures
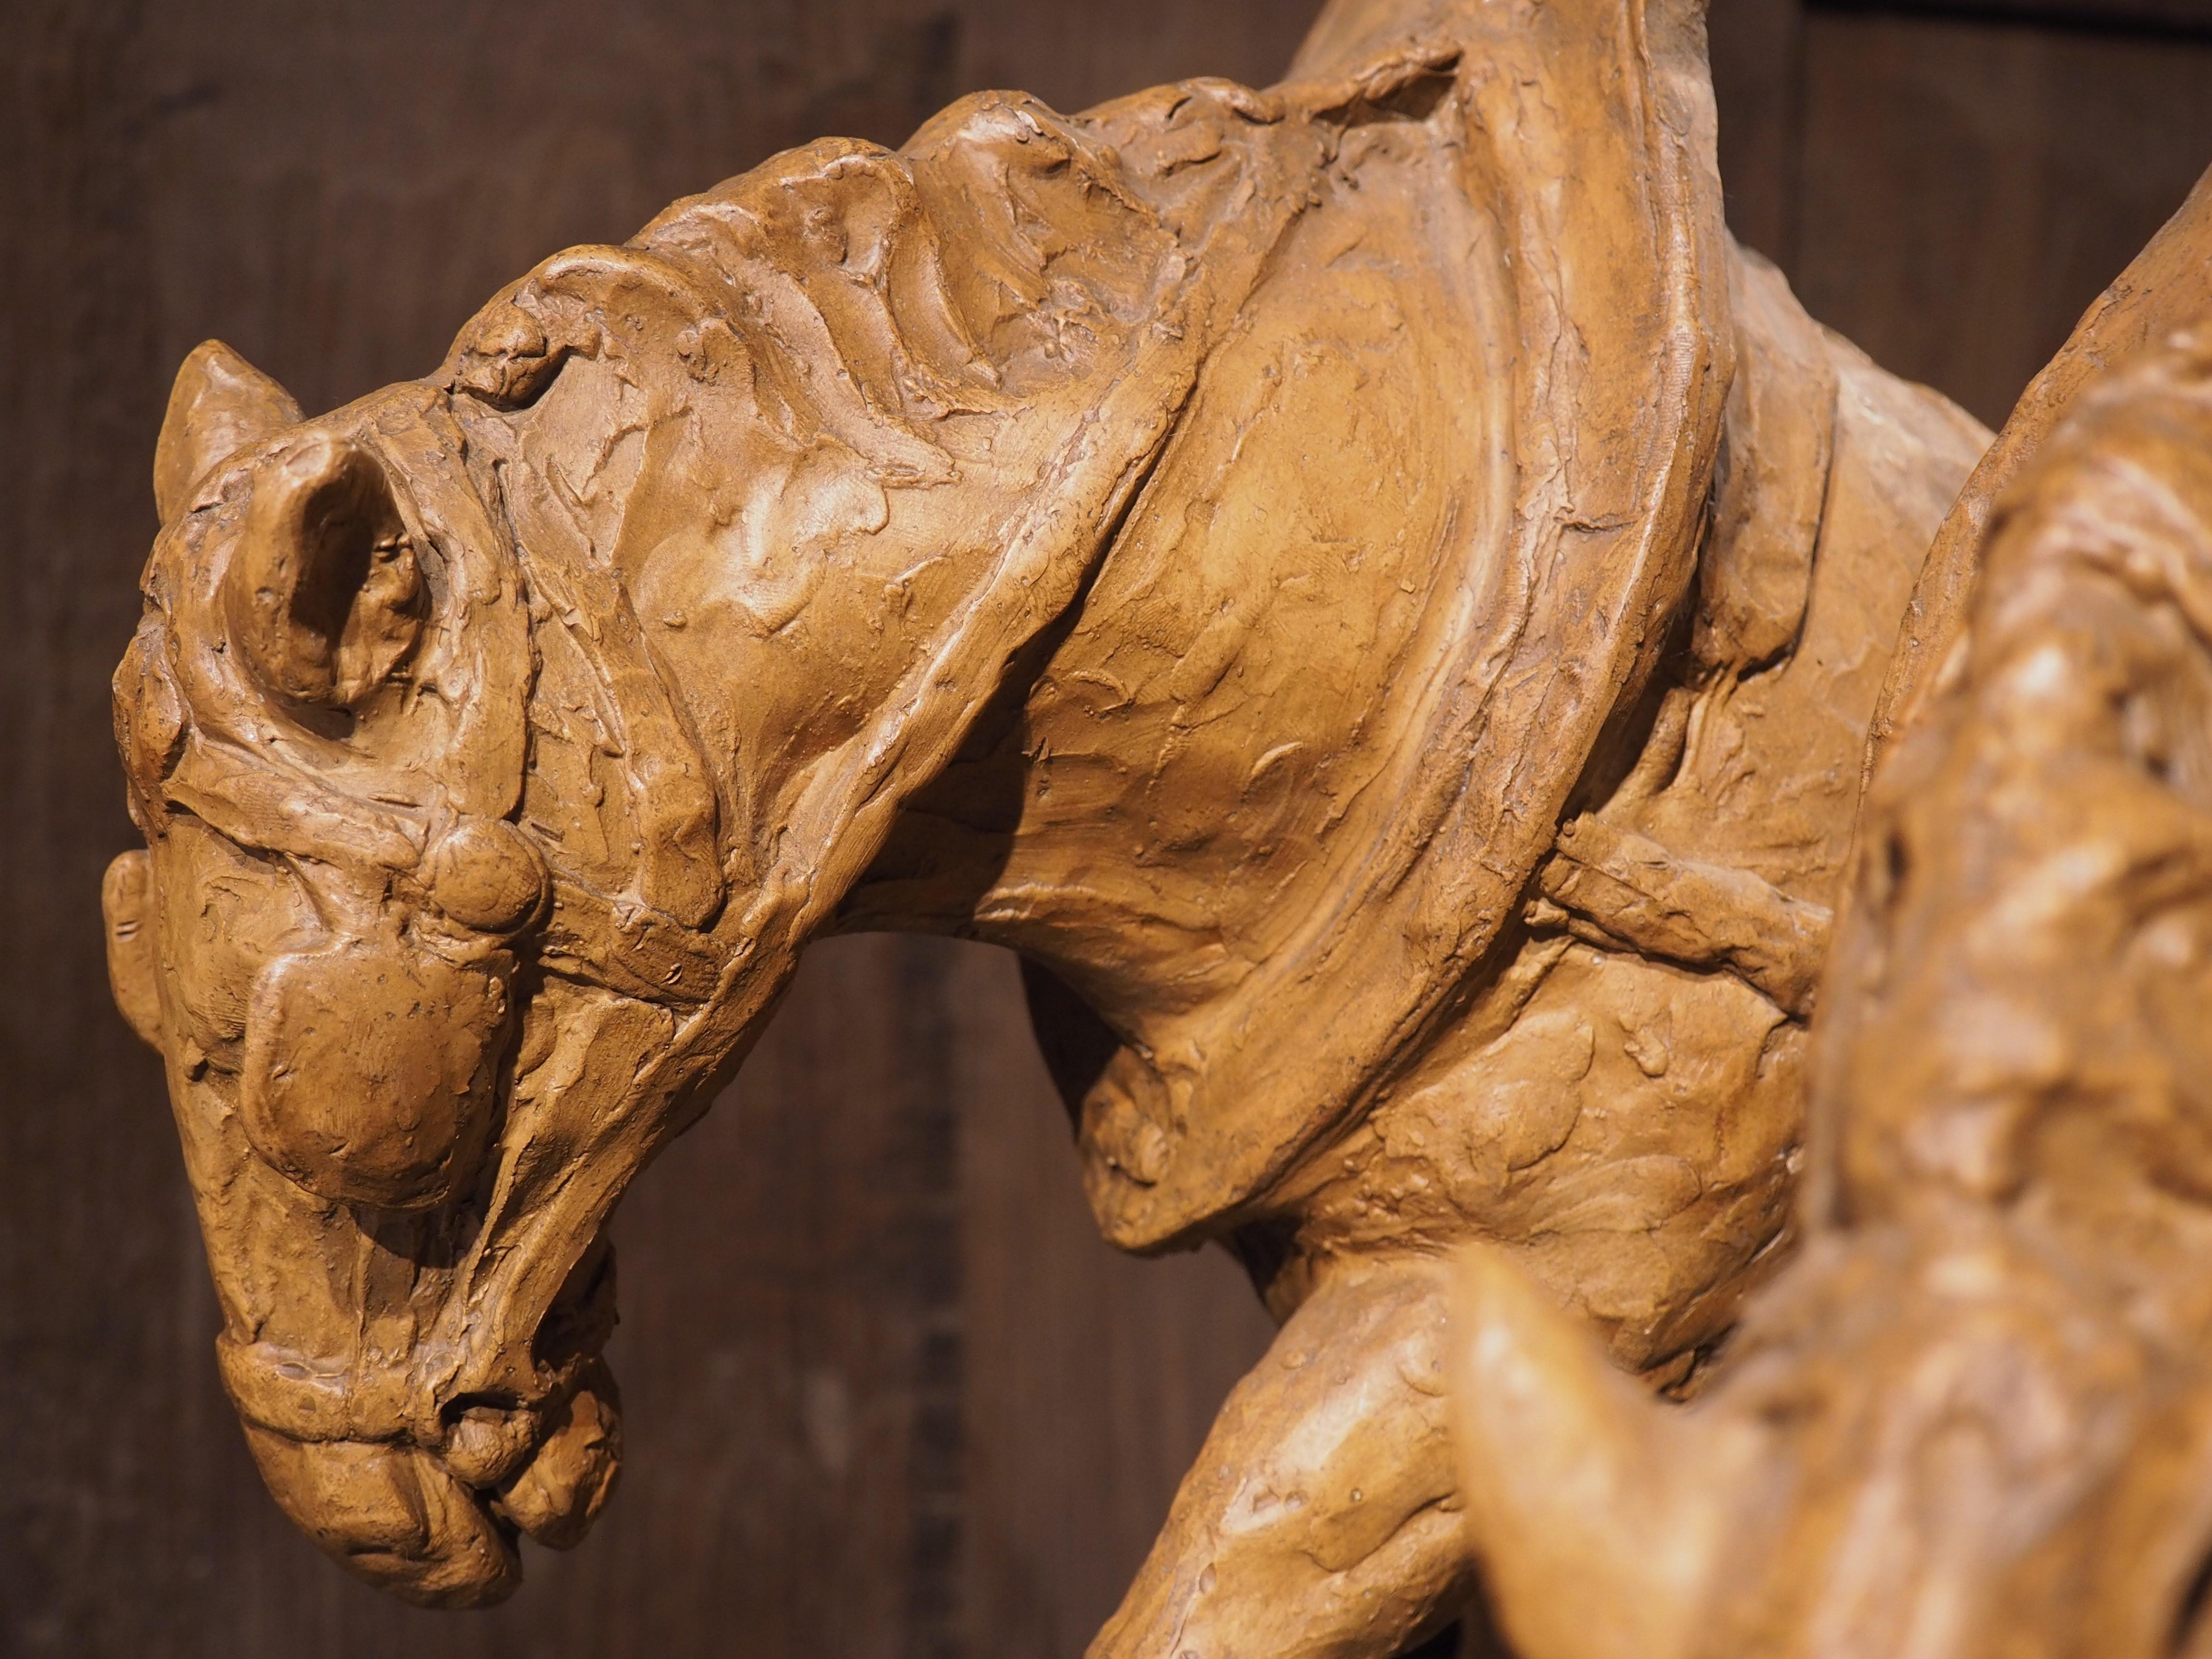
point(886, 1392)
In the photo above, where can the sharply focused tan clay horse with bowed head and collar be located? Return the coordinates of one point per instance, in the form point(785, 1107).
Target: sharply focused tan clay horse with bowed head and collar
point(1361, 585)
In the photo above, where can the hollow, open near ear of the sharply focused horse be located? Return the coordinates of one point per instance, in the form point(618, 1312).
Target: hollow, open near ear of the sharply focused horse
point(326, 592)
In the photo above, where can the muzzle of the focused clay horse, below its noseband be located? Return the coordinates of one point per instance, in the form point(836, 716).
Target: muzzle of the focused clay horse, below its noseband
point(439, 1527)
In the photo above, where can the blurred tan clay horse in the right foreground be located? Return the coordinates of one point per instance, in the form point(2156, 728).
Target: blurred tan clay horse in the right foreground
point(1972, 1419)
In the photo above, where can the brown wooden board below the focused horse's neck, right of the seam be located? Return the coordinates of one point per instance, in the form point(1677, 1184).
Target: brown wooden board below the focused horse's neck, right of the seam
point(1092, 1377)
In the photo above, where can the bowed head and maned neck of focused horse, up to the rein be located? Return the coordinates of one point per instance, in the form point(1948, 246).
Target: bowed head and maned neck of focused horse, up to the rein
point(499, 742)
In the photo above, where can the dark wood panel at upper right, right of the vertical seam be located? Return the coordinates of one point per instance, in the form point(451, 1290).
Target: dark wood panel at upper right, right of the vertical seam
point(1972, 187)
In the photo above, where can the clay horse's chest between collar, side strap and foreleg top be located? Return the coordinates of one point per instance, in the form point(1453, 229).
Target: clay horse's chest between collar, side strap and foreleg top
point(1634, 1131)
